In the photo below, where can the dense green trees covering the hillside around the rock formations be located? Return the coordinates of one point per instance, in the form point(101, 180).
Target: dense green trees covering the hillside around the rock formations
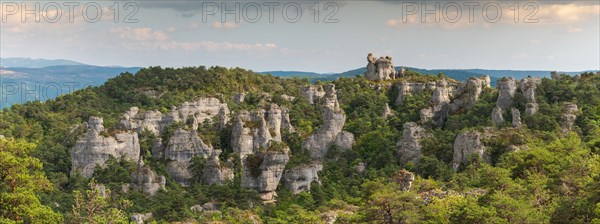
point(553, 177)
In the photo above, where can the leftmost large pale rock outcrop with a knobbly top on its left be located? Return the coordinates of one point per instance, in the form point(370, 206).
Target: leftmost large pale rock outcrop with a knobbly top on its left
point(95, 149)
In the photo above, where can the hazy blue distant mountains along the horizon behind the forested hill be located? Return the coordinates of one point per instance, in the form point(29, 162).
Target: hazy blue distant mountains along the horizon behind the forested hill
point(26, 79)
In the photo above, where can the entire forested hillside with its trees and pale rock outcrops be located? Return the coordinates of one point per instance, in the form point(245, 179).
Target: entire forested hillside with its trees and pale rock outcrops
point(204, 144)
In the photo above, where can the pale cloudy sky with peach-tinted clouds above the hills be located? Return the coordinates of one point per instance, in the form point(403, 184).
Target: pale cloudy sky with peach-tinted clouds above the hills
point(307, 35)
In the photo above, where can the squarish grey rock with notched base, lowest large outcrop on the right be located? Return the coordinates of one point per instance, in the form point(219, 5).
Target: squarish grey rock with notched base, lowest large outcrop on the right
point(467, 144)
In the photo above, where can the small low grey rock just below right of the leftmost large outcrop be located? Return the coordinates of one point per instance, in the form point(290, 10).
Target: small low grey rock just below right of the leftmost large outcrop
point(147, 181)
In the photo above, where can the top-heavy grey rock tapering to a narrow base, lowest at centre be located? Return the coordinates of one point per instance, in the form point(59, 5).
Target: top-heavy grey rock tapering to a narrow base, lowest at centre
point(264, 176)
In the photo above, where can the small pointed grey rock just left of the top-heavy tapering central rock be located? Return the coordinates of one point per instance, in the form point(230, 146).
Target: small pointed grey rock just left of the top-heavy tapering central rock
point(215, 172)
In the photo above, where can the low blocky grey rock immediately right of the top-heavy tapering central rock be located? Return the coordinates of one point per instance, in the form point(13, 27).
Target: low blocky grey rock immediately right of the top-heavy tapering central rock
point(299, 179)
